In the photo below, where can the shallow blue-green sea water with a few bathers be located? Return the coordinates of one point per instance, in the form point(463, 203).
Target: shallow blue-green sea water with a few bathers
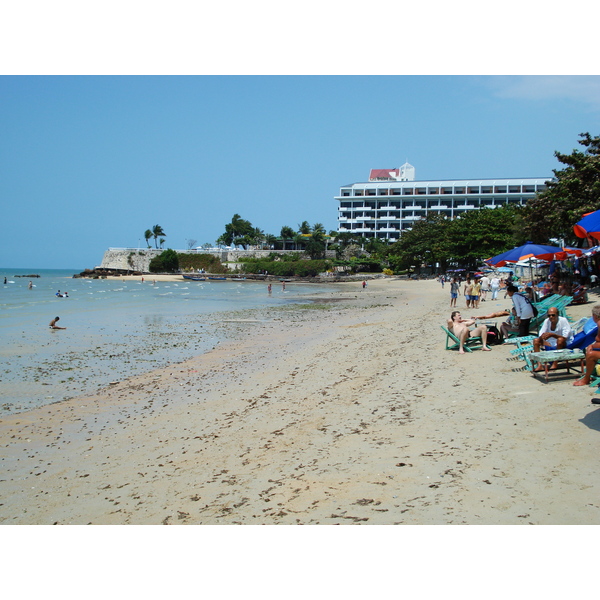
point(114, 329)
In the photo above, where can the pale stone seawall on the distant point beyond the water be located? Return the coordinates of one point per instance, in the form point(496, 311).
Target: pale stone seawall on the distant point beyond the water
point(137, 259)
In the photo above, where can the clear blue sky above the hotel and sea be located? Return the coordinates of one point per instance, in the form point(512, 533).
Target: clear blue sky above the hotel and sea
point(91, 162)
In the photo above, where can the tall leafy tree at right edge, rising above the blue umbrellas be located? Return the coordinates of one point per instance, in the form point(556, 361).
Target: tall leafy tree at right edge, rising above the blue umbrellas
point(575, 192)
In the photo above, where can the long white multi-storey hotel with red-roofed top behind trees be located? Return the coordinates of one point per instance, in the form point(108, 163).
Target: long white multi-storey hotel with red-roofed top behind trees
point(392, 200)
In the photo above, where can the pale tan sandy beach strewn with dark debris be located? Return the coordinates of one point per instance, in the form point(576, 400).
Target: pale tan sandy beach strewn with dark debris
point(347, 411)
